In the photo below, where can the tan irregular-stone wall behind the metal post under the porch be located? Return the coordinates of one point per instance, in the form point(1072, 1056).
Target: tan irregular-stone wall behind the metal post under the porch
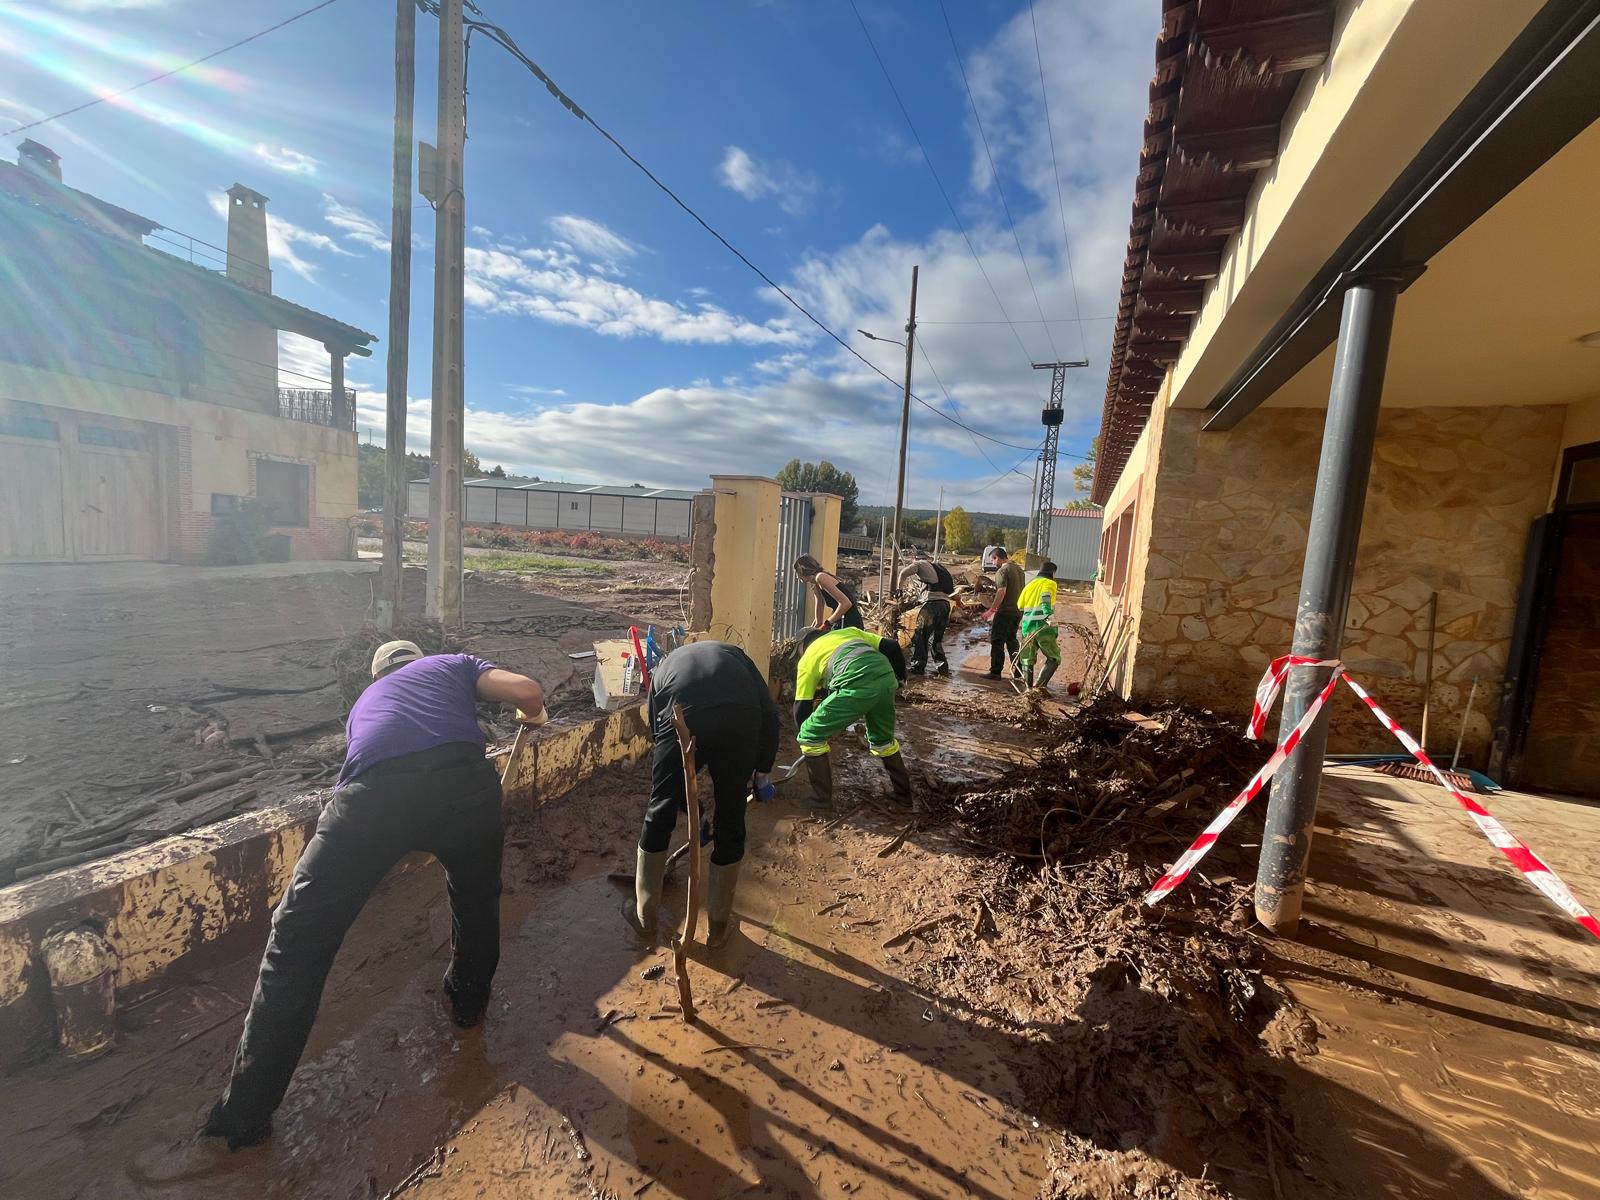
point(1452, 497)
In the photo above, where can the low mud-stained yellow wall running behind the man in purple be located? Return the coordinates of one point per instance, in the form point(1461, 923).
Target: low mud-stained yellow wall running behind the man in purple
point(196, 895)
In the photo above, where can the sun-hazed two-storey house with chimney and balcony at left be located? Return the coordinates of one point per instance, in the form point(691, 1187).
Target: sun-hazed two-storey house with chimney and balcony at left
point(140, 404)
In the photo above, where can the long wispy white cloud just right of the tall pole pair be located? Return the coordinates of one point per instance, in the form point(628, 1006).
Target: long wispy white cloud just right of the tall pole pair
point(553, 286)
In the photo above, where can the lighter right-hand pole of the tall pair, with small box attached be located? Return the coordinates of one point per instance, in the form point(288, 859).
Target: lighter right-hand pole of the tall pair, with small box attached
point(446, 492)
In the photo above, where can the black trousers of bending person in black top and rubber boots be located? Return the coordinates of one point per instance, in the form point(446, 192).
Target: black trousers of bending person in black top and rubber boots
point(726, 743)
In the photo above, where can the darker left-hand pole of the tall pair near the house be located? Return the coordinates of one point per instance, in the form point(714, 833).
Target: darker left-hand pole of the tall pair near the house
point(391, 604)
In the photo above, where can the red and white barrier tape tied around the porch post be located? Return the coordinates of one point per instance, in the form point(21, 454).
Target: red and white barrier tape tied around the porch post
point(1514, 849)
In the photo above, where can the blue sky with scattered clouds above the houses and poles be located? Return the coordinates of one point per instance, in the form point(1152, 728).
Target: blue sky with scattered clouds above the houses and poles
point(609, 337)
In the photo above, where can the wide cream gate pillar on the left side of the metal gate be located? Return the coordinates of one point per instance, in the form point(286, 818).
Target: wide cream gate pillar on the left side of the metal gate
point(745, 550)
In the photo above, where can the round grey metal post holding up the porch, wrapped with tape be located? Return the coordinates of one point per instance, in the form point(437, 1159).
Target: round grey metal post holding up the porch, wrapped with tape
point(1335, 534)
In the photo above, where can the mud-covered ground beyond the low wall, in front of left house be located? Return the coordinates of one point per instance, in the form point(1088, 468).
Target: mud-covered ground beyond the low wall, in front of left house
point(143, 700)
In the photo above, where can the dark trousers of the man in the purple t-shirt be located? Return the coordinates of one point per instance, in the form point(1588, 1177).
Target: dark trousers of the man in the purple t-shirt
point(446, 802)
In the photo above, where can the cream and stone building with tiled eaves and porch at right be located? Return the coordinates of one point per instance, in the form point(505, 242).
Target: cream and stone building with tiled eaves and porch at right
point(1354, 399)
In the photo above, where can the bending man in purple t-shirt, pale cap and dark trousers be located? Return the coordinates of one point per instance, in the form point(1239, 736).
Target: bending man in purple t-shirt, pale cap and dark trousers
point(415, 778)
